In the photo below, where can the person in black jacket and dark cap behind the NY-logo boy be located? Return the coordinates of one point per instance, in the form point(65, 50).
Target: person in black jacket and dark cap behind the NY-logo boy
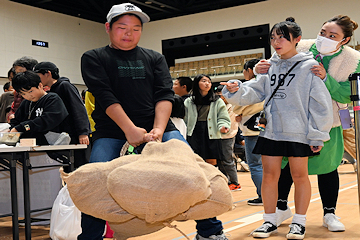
point(77, 122)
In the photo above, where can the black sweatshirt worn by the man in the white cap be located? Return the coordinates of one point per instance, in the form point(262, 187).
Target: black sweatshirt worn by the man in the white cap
point(136, 79)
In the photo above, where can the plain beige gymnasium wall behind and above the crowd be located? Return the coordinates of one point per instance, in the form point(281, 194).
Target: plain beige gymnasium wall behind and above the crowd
point(69, 37)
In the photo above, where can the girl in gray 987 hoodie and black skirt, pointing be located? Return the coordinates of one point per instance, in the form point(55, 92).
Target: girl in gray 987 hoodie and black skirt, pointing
point(298, 112)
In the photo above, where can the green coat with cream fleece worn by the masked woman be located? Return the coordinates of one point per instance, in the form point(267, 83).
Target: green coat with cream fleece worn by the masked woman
point(331, 154)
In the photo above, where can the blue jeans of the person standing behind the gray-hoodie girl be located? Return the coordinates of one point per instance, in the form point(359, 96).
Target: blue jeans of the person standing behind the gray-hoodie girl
point(254, 162)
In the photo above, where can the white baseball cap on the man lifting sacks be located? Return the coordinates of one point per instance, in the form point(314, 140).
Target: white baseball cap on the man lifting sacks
point(124, 8)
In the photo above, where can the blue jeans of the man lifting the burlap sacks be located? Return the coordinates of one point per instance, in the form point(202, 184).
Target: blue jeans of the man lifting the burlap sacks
point(107, 149)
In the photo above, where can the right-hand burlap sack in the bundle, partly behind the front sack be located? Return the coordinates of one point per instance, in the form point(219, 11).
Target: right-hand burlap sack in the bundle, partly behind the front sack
point(219, 202)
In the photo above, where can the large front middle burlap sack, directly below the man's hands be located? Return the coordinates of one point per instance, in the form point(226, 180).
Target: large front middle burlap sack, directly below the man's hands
point(166, 180)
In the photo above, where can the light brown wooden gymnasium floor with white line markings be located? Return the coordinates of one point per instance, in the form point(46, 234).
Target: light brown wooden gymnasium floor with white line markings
point(239, 223)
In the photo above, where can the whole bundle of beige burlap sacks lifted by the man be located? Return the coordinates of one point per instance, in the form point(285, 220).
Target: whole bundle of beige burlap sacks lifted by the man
point(172, 162)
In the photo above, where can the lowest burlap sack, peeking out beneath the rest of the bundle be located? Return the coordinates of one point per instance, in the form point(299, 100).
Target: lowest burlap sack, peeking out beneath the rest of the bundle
point(134, 227)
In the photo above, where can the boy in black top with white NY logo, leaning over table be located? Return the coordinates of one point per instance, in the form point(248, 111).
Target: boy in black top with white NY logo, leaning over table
point(40, 112)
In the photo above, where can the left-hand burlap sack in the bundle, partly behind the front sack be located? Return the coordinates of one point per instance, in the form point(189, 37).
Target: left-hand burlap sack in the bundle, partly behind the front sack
point(87, 188)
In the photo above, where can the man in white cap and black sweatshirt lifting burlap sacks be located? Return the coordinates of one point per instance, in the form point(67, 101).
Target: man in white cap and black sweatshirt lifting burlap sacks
point(133, 94)
